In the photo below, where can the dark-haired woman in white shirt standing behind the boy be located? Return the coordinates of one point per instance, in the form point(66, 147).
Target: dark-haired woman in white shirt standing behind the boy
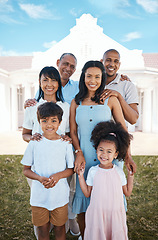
point(49, 91)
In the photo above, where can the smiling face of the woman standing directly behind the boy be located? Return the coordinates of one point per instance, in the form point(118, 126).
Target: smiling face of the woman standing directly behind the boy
point(48, 85)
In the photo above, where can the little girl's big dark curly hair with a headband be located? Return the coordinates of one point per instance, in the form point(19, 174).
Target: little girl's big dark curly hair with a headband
point(113, 132)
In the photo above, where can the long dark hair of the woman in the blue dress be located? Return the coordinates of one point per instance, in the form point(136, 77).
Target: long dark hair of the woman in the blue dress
point(82, 86)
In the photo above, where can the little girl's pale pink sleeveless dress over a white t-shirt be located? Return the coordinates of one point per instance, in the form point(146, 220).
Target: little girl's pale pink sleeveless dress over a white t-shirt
point(106, 216)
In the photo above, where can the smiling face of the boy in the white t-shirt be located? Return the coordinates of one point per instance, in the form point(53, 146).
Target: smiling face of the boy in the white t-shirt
point(49, 125)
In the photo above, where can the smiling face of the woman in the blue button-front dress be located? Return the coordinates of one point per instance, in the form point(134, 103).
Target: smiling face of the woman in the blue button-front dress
point(93, 78)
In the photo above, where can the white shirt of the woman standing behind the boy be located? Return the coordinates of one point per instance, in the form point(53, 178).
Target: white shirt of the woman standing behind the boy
point(31, 122)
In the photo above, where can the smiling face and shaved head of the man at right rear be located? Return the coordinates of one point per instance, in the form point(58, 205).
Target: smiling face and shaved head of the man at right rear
point(111, 62)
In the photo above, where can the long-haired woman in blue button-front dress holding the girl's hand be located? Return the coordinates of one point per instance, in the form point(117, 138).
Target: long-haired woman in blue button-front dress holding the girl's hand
point(85, 112)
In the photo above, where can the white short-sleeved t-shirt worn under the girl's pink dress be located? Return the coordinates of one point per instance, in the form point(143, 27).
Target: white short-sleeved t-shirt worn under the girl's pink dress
point(92, 171)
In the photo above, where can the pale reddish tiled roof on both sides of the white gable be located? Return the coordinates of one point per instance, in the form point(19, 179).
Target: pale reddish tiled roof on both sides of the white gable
point(13, 63)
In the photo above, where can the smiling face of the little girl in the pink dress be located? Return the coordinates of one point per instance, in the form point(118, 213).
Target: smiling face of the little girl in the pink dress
point(106, 152)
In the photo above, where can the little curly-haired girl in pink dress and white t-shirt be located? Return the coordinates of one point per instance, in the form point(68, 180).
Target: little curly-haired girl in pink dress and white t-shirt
point(106, 183)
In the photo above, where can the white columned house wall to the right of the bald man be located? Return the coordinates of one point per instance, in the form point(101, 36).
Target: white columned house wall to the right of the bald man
point(146, 81)
